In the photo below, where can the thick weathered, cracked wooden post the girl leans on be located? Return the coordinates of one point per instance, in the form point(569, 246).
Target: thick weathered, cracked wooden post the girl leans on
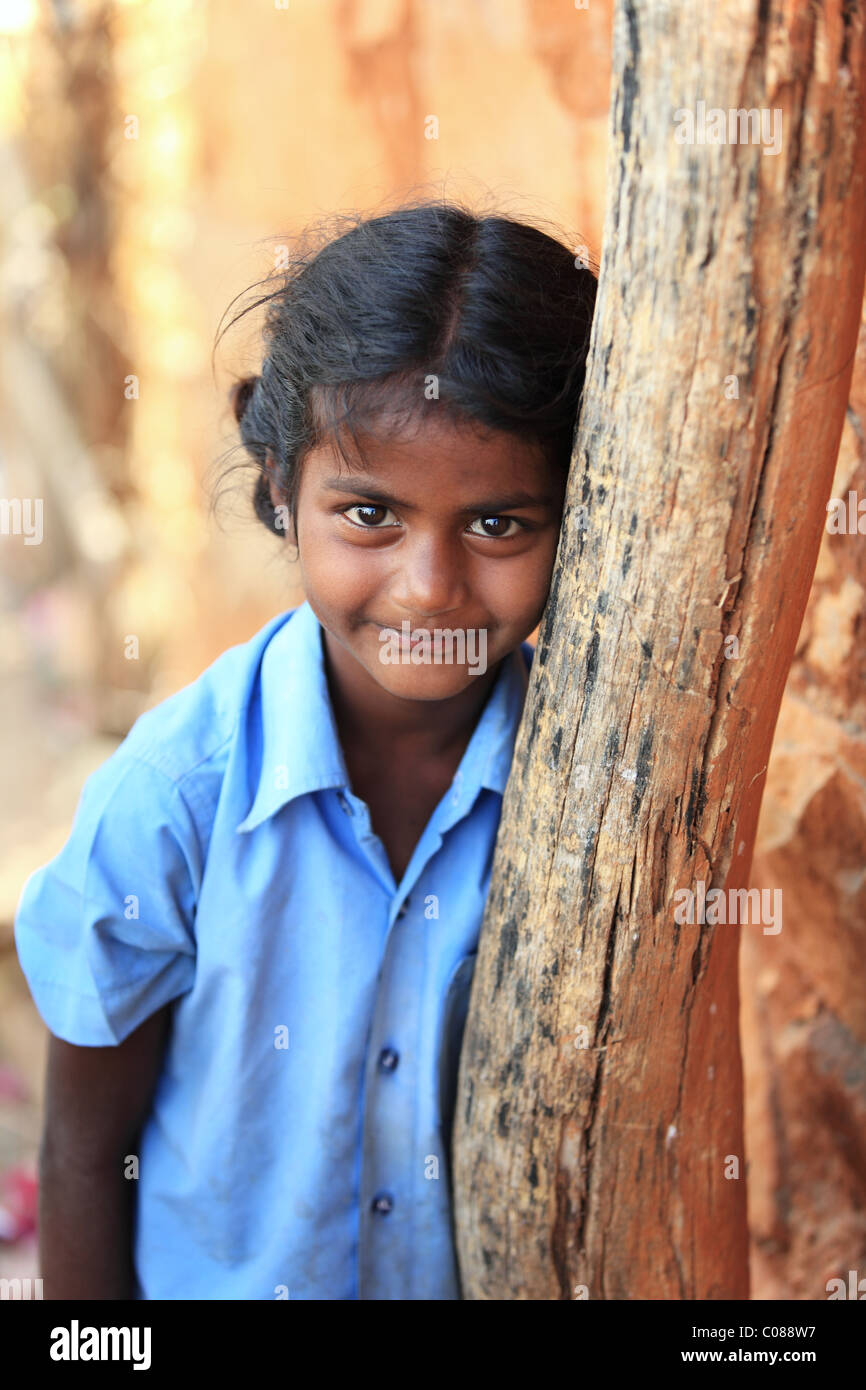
point(598, 1134)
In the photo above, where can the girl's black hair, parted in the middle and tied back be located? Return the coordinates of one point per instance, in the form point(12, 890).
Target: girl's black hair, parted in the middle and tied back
point(426, 308)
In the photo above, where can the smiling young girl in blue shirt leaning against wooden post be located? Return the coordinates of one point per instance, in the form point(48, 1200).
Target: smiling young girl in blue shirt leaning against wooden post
point(255, 951)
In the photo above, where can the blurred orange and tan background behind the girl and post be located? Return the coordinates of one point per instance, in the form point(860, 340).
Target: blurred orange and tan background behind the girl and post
point(154, 156)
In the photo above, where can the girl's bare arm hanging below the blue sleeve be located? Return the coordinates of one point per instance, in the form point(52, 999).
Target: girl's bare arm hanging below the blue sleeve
point(97, 1103)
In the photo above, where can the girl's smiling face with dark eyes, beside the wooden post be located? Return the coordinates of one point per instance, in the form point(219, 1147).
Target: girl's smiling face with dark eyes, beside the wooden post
point(452, 529)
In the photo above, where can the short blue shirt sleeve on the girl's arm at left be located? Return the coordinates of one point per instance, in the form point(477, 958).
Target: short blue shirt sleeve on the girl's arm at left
point(105, 932)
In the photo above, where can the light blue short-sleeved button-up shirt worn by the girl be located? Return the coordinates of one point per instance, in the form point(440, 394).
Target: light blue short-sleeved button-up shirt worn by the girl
point(298, 1142)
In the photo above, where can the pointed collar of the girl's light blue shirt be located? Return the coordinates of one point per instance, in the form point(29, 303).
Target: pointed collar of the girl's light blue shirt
point(301, 749)
